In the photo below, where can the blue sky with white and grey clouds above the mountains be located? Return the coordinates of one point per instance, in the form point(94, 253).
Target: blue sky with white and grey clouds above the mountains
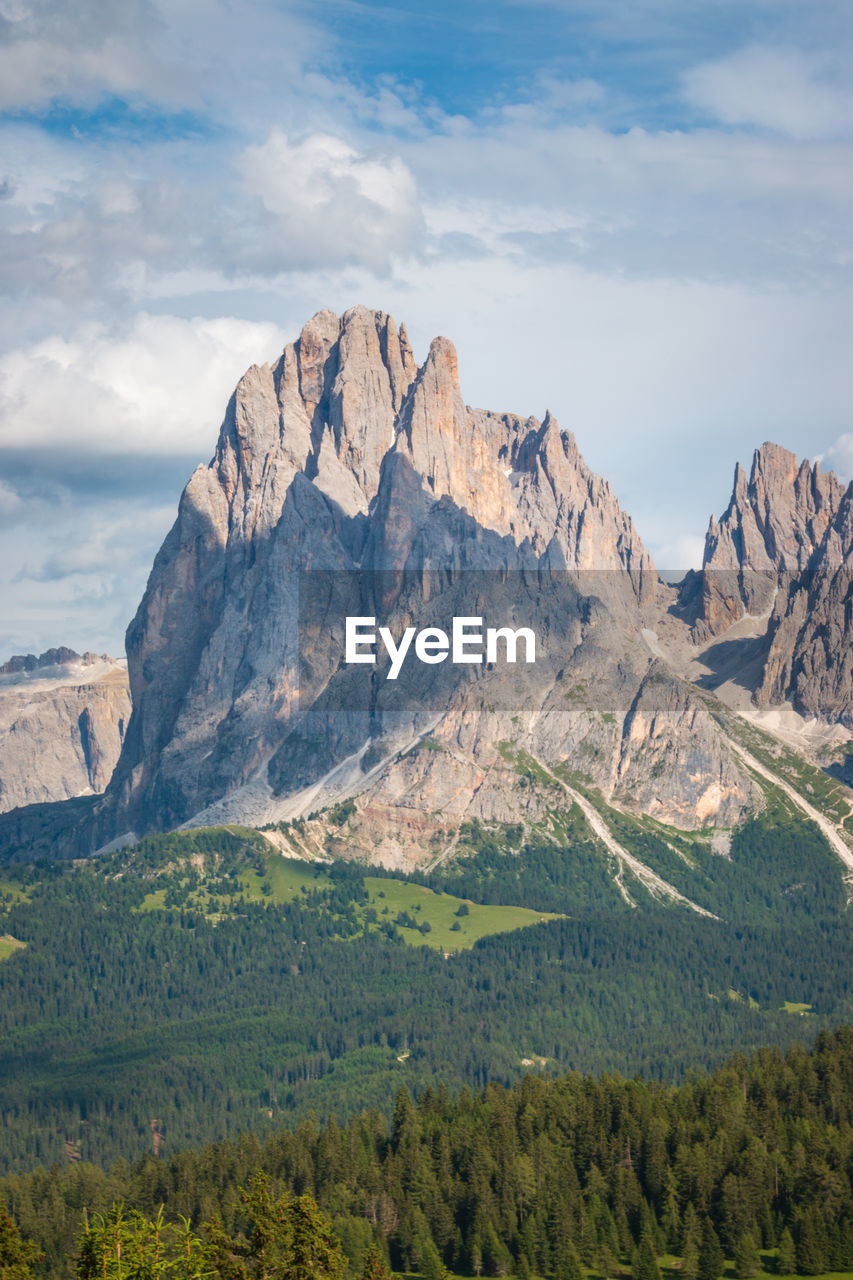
point(633, 213)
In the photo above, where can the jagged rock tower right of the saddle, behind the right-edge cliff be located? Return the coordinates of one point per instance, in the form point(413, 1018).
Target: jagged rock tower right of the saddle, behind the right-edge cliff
point(776, 523)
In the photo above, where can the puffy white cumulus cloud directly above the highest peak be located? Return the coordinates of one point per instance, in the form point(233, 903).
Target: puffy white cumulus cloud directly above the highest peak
point(334, 205)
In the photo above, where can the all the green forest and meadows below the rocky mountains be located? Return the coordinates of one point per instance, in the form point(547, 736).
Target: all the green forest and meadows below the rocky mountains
point(213, 1054)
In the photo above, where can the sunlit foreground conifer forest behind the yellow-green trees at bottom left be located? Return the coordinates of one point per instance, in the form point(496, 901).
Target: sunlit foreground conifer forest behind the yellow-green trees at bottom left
point(544, 1178)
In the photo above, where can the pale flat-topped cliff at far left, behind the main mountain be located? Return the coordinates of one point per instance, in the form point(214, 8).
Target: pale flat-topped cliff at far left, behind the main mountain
point(62, 726)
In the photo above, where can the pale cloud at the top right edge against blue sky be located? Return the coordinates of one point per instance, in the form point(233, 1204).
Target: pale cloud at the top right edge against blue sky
point(784, 90)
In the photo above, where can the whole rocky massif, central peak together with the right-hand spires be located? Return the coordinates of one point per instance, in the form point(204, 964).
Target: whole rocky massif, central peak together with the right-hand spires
point(350, 483)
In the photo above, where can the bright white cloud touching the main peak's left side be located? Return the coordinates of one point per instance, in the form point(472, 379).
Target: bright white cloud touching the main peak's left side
point(159, 388)
